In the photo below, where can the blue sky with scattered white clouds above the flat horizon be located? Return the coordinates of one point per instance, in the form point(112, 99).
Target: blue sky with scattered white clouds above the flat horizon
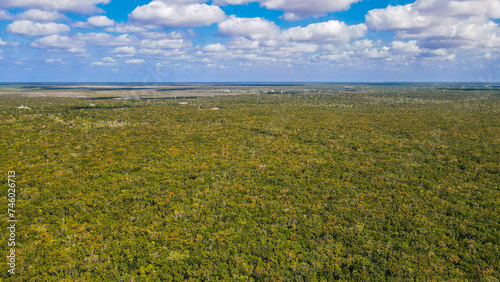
point(244, 40)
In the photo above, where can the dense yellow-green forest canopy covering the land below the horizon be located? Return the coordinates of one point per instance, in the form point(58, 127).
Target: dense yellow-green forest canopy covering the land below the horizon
point(311, 187)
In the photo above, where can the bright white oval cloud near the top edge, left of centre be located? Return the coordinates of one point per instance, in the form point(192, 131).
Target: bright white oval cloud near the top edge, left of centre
point(177, 14)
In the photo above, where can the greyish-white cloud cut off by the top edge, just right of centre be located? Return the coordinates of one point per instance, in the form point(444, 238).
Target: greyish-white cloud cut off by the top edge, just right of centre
point(296, 9)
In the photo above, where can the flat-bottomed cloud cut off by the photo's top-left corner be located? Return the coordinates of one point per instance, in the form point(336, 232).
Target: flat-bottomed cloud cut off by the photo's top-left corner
point(77, 6)
